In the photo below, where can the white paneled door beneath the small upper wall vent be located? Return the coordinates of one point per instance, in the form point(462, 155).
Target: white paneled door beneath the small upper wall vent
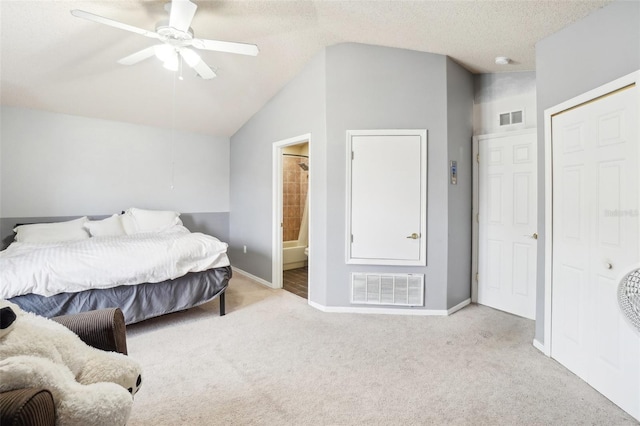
point(507, 219)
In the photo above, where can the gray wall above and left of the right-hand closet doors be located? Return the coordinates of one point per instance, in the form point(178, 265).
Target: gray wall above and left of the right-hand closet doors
point(600, 48)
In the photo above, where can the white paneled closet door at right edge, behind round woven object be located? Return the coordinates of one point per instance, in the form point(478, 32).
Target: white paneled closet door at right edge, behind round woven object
point(595, 242)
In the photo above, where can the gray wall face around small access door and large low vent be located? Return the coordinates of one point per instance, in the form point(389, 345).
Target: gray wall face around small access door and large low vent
point(373, 87)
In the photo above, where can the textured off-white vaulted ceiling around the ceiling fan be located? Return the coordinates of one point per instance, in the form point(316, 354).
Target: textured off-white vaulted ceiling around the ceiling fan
point(53, 61)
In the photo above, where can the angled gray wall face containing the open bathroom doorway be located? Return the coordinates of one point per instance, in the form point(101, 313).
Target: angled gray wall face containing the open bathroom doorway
point(297, 109)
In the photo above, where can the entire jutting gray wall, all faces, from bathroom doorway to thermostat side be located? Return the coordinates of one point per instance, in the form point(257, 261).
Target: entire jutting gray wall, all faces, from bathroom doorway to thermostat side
point(354, 86)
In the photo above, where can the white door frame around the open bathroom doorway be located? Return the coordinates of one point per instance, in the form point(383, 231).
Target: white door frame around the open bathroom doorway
point(277, 198)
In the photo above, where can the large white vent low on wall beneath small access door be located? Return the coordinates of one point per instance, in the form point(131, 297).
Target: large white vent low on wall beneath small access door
point(387, 289)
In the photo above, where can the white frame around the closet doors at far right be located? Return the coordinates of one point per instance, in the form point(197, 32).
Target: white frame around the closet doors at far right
point(592, 95)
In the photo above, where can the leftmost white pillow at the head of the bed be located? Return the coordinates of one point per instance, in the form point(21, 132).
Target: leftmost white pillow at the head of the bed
point(71, 230)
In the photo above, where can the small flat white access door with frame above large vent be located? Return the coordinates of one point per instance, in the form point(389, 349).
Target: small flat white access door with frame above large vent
point(387, 192)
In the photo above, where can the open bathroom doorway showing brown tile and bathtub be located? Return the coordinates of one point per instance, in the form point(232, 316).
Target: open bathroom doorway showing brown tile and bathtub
point(291, 164)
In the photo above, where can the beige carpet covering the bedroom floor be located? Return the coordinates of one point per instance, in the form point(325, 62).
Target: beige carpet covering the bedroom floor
point(274, 360)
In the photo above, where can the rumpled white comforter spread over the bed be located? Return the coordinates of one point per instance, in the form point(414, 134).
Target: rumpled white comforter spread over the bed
point(103, 262)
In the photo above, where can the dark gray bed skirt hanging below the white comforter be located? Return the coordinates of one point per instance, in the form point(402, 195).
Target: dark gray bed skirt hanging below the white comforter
point(137, 302)
